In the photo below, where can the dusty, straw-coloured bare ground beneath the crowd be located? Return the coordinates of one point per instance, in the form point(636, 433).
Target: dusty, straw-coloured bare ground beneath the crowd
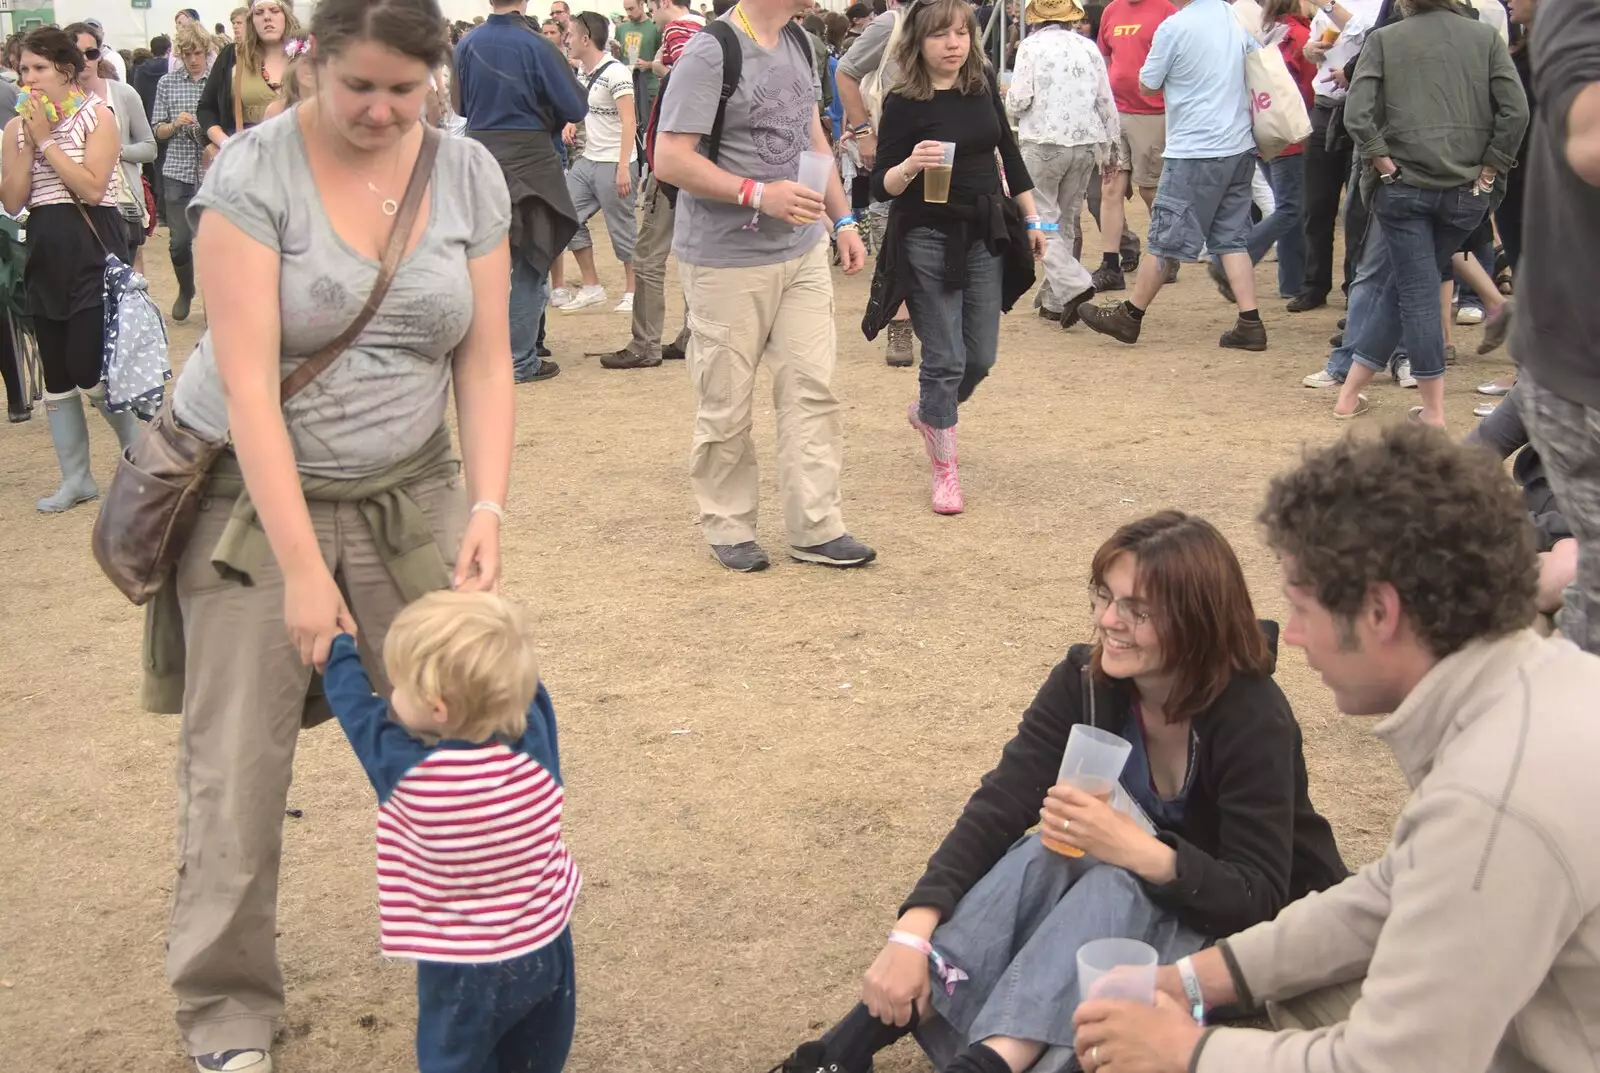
point(758, 765)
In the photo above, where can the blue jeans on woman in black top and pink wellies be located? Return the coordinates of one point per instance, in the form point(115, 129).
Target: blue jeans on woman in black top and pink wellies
point(959, 330)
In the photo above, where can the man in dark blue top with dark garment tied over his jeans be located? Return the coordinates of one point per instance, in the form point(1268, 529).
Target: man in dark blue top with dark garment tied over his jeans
point(518, 90)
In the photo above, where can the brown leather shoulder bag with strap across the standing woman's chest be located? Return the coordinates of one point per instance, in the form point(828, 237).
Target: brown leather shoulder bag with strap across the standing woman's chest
point(154, 500)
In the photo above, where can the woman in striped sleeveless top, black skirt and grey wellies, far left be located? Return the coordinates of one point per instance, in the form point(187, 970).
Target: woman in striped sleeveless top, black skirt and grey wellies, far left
point(58, 162)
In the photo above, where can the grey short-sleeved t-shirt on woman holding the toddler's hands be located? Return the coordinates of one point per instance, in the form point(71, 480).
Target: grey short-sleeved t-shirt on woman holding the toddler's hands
point(386, 396)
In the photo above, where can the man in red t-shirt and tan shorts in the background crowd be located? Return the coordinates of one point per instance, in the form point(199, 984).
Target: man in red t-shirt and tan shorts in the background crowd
point(1127, 31)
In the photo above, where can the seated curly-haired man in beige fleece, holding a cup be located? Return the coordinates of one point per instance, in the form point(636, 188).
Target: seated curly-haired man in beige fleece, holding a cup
point(1471, 946)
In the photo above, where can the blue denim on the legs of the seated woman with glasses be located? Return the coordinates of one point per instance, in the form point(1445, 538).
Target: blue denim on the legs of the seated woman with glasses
point(1017, 935)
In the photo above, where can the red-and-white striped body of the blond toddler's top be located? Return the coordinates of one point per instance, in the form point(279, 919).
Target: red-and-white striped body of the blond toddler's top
point(471, 863)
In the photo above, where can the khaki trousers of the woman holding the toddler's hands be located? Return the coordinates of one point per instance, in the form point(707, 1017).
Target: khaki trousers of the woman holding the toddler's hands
point(242, 716)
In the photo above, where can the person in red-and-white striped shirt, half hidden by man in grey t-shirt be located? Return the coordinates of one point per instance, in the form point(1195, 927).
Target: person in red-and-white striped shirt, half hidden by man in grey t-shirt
point(655, 225)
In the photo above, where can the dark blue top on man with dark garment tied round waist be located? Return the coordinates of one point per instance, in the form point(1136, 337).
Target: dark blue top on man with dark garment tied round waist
point(513, 79)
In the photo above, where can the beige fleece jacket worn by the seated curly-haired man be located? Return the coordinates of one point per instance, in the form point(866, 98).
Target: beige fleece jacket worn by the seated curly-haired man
point(1478, 931)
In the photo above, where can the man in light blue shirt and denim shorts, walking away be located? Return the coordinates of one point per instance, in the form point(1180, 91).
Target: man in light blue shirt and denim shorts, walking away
point(1198, 62)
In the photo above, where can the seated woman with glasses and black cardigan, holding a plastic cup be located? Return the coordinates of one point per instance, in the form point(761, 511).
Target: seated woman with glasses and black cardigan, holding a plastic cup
point(982, 963)
